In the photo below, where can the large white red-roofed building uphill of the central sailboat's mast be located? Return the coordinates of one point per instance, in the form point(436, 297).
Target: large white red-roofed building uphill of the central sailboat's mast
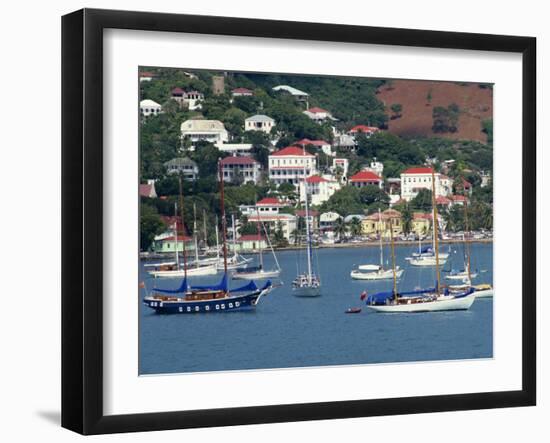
point(290, 165)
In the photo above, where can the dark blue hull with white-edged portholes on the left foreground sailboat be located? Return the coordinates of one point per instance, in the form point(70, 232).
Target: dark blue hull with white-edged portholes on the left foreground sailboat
point(181, 306)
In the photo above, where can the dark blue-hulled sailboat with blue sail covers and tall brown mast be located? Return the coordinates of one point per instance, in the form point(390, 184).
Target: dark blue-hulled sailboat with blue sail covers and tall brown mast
point(187, 299)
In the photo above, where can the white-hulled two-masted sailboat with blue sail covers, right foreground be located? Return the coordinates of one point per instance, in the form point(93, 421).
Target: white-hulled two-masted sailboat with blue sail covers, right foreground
point(423, 300)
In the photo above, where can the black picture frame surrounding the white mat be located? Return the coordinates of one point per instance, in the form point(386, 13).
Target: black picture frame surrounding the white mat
point(82, 218)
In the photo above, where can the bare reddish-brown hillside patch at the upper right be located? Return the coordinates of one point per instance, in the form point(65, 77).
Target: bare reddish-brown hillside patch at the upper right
point(418, 98)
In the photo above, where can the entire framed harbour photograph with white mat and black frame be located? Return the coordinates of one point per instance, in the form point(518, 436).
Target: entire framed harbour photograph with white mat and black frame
point(270, 221)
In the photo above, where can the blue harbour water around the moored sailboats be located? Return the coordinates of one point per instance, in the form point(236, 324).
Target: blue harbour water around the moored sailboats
point(287, 331)
